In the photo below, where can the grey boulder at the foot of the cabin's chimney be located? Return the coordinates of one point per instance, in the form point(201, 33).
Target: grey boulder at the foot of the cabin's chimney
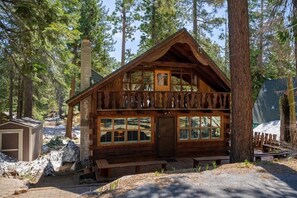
point(70, 152)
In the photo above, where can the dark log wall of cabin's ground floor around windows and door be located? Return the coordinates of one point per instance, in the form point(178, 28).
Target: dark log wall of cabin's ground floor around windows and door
point(124, 152)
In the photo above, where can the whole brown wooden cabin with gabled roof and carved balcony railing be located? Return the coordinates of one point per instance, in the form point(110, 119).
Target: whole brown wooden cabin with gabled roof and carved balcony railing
point(171, 101)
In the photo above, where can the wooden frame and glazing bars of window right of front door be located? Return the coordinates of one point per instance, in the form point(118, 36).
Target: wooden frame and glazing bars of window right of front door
point(200, 127)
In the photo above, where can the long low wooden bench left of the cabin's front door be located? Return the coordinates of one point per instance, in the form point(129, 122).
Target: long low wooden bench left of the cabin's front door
point(103, 165)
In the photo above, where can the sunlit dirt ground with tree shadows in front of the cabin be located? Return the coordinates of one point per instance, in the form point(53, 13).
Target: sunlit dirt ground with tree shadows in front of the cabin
point(262, 179)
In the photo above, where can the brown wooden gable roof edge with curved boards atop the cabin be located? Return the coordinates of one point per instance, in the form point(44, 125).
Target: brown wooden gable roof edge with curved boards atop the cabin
point(194, 53)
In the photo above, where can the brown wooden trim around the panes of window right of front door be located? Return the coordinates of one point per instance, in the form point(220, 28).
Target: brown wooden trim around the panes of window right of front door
point(221, 138)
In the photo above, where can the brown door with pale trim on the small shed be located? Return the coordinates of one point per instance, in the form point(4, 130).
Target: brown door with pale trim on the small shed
point(11, 143)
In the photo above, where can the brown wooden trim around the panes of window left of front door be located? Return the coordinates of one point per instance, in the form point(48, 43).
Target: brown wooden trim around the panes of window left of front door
point(125, 142)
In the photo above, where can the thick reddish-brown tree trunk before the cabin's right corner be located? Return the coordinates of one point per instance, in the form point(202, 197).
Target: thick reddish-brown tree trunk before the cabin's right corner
point(242, 136)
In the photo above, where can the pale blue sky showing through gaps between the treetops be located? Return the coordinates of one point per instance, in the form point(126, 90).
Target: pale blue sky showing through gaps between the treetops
point(110, 5)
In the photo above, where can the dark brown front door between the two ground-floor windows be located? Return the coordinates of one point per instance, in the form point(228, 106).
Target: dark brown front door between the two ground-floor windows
point(166, 128)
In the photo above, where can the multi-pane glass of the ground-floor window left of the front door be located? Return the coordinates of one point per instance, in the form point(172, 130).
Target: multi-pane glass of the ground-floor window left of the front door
point(124, 130)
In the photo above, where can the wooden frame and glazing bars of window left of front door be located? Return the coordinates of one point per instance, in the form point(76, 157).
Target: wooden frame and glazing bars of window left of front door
point(125, 142)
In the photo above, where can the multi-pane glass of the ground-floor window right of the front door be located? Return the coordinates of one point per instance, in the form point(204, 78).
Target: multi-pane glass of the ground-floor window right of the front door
point(199, 127)
